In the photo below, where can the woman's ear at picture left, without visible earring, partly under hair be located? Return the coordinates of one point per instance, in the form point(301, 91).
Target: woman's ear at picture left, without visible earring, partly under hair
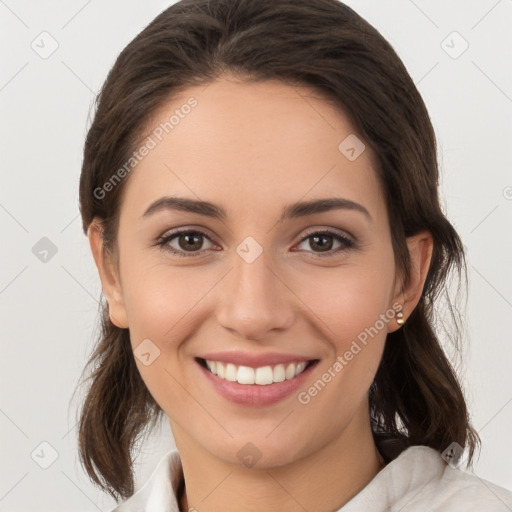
point(108, 275)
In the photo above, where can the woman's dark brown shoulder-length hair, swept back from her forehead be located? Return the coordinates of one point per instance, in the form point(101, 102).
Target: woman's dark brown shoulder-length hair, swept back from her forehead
point(415, 397)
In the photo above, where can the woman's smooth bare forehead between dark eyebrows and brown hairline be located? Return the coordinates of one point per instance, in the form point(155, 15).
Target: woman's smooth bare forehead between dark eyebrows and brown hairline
point(266, 143)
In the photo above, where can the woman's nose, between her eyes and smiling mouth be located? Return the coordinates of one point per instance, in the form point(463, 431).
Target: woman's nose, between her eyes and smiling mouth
point(254, 300)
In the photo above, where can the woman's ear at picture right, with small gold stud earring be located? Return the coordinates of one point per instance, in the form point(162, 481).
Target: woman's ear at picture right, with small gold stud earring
point(420, 251)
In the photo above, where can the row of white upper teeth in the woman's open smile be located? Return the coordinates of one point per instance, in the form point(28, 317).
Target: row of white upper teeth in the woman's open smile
point(261, 376)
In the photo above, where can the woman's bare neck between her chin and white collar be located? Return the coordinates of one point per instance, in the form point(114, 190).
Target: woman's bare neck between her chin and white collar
point(323, 481)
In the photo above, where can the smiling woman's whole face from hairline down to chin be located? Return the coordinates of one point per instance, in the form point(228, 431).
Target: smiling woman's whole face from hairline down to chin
point(260, 289)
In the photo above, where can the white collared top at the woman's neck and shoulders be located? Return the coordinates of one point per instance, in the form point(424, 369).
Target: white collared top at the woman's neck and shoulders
point(418, 480)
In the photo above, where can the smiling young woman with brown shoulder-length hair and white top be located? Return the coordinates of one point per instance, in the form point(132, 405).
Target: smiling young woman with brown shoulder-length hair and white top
point(259, 189)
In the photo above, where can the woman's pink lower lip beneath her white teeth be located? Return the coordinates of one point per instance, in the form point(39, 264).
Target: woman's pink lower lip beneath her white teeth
point(254, 394)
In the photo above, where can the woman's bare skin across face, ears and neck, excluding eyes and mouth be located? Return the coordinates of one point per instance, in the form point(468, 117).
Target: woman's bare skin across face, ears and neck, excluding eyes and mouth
point(253, 148)
